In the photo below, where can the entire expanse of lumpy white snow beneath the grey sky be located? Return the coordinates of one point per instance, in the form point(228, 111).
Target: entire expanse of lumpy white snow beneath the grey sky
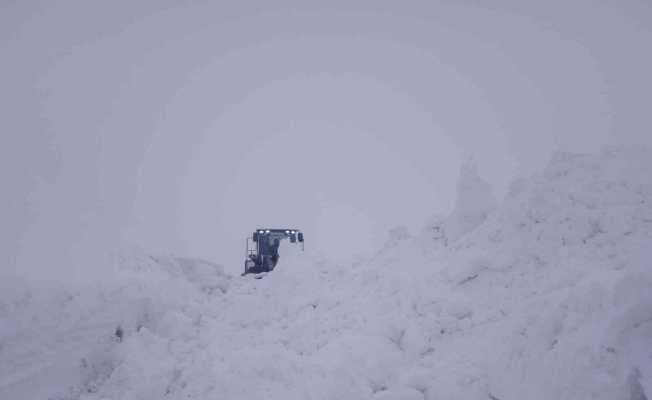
point(545, 295)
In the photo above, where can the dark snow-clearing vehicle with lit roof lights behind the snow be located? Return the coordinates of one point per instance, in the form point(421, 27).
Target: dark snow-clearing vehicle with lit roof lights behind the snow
point(262, 248)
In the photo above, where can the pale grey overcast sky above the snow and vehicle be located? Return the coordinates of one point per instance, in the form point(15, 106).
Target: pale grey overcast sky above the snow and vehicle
point(182, 126)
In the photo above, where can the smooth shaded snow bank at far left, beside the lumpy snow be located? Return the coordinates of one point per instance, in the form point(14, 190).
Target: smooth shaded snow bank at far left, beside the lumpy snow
point(58, 342)
